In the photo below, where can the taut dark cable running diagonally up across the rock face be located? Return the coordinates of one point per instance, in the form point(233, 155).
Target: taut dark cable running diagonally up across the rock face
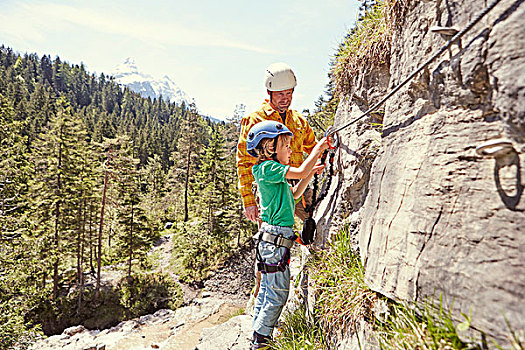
point(420, 68)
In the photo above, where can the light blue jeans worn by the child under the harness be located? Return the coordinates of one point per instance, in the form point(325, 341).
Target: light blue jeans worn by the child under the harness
point(275, 286)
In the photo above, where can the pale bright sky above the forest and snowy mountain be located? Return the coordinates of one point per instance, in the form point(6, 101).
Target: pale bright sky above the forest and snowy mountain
point(215, 51)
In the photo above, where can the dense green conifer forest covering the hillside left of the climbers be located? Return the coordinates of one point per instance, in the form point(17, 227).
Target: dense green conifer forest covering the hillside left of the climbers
point(90, 174)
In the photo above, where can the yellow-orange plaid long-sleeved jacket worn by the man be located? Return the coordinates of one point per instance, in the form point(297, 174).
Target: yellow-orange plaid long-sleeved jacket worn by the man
point(303, 140)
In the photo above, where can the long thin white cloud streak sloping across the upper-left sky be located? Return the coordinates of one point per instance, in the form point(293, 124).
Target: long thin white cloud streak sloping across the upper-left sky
point(33, 20)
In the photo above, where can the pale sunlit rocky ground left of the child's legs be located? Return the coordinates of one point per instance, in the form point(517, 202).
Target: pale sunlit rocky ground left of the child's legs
point(213, 317)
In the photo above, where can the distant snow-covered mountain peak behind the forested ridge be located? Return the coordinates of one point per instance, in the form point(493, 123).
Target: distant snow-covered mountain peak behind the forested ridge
point(128, 74)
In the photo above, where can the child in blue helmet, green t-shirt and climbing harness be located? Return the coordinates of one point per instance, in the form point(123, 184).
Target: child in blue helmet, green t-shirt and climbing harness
point(269, 141)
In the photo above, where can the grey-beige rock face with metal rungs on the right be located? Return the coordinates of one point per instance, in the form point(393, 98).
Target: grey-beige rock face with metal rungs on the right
point(431, 216)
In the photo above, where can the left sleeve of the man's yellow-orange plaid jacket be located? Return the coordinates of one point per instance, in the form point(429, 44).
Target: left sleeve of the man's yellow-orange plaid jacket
point(245, 162)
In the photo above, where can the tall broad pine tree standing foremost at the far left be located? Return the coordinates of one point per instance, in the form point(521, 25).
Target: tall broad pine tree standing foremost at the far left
point(54, 188)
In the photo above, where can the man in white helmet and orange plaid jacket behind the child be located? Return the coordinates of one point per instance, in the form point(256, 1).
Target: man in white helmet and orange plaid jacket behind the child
point(280, 83)
